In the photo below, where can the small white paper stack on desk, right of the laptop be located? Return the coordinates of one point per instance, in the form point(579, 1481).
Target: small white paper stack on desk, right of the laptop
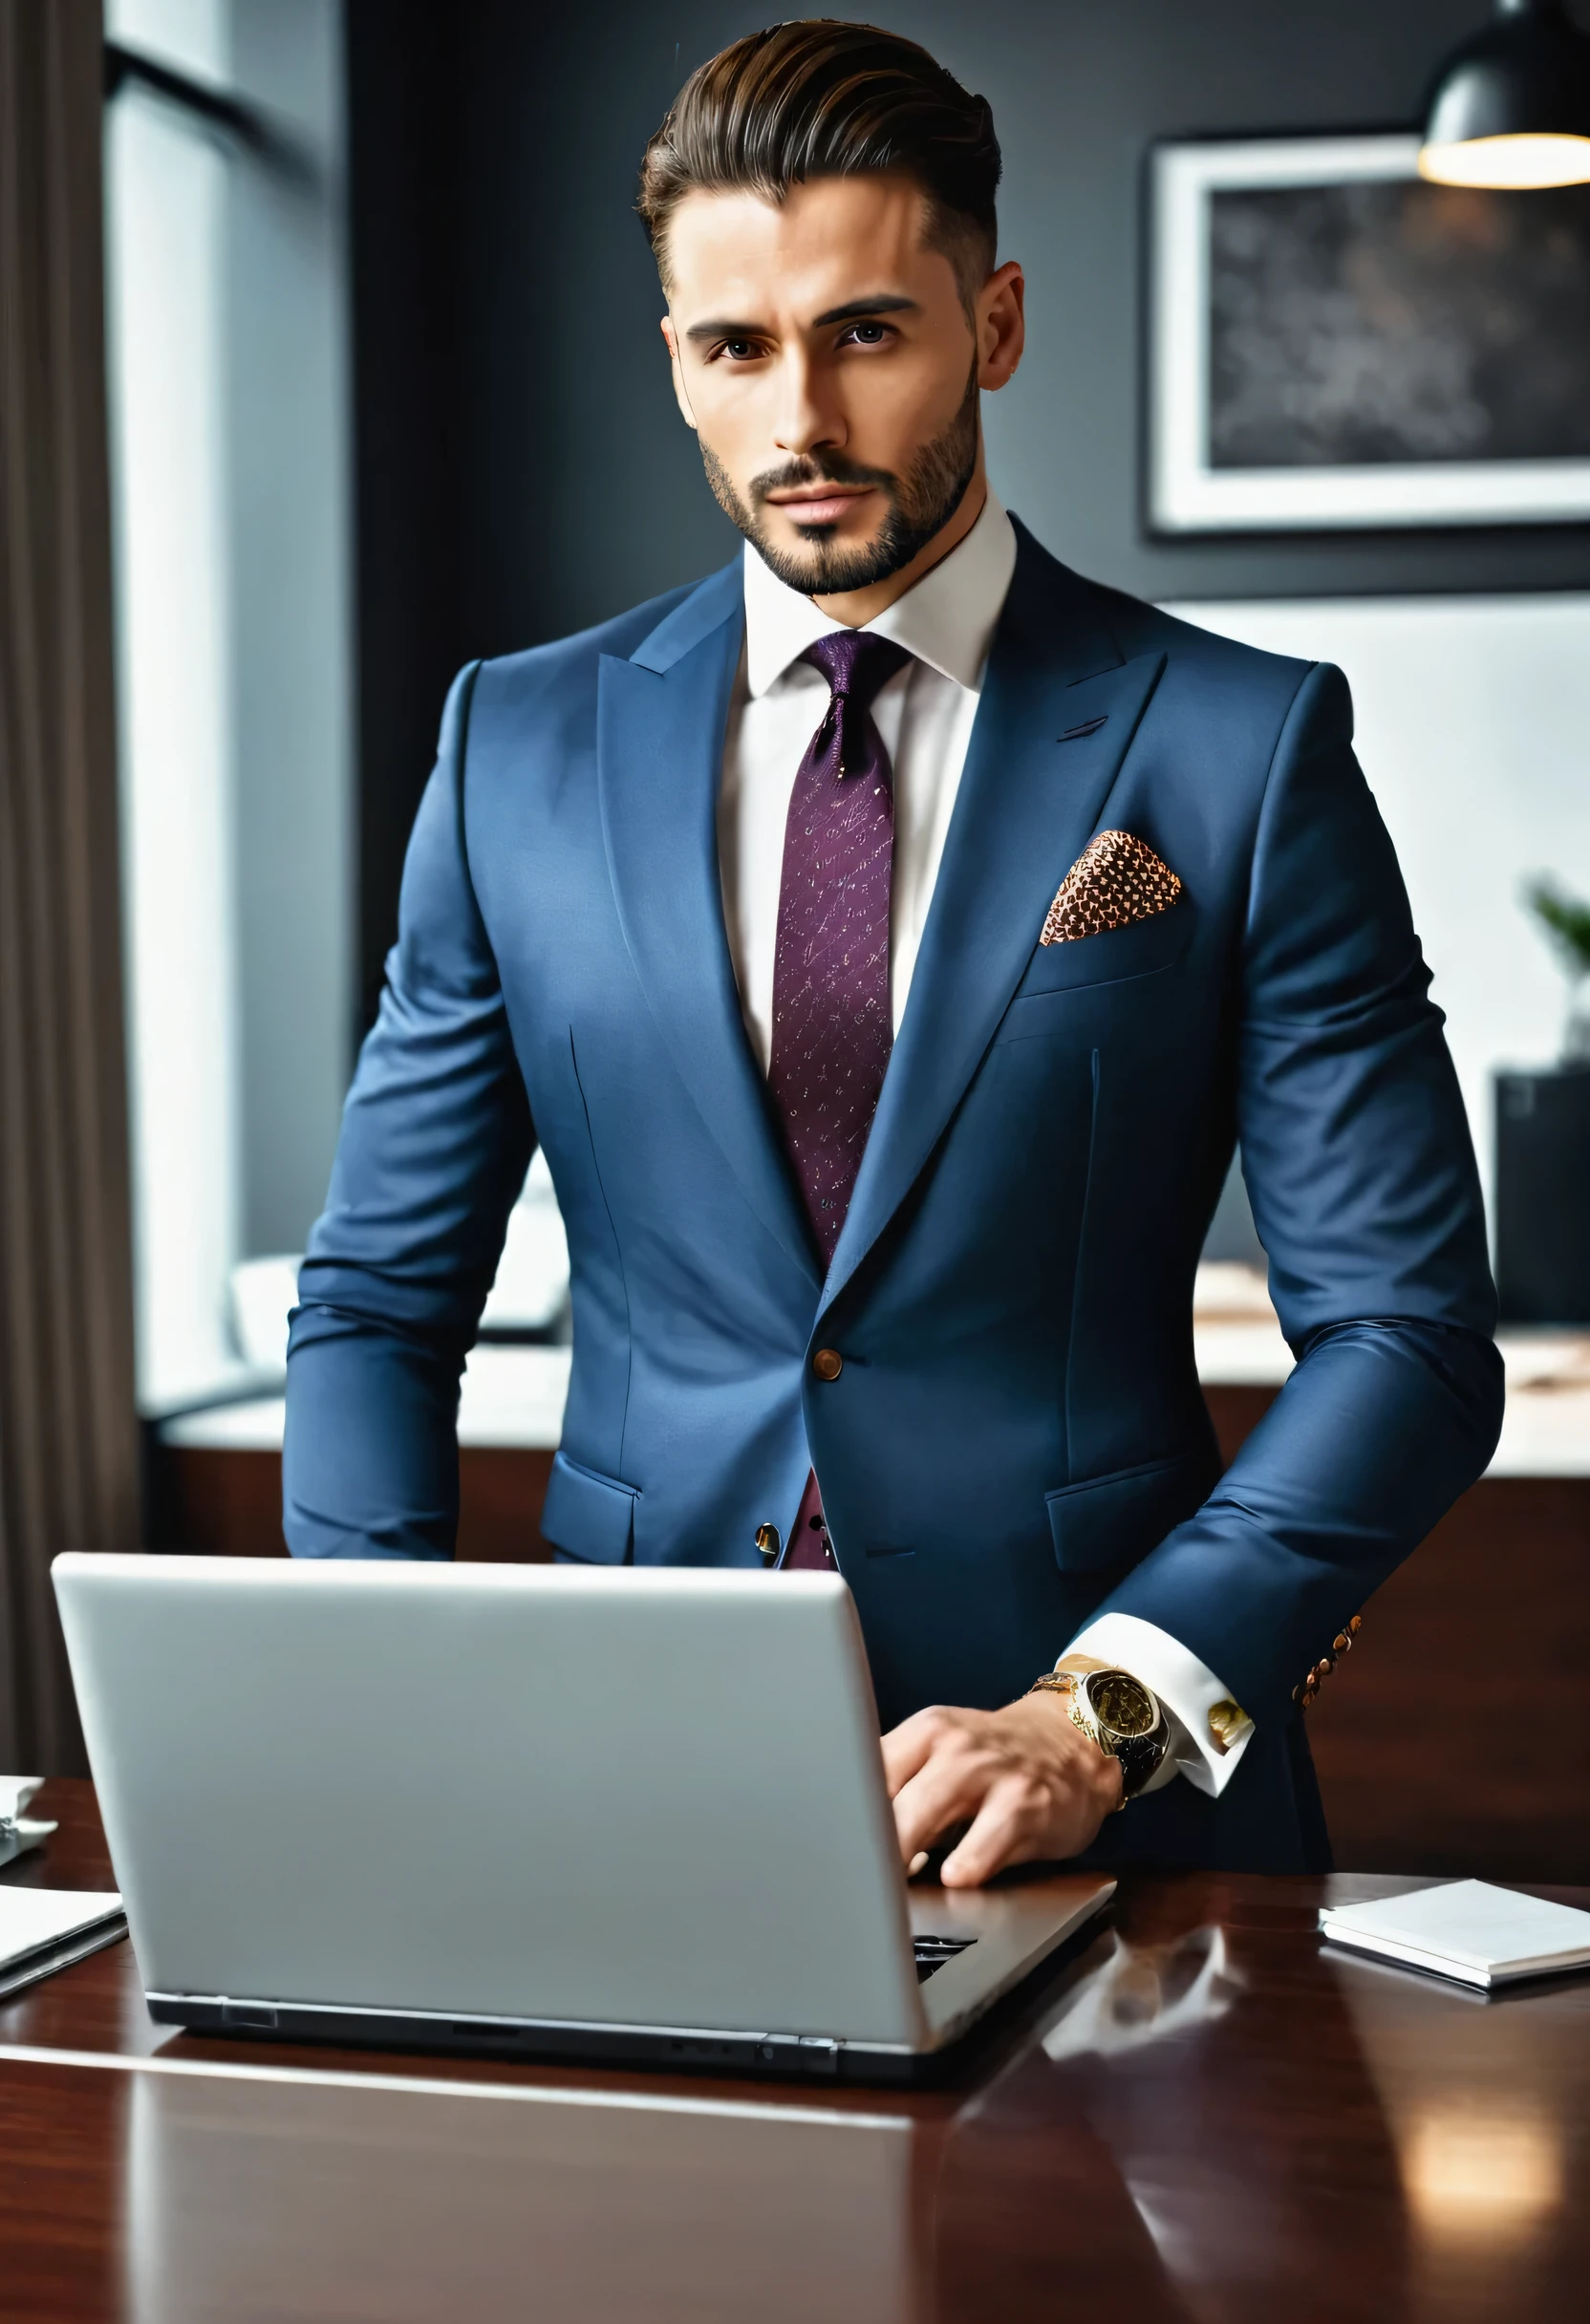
point(1466, 1930)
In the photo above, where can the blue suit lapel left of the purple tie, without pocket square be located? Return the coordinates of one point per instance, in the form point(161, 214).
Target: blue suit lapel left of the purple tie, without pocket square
point(661, 724)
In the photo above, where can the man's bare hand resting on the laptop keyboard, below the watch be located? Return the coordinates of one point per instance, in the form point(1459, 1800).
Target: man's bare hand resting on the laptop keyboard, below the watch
point(1024, 1779)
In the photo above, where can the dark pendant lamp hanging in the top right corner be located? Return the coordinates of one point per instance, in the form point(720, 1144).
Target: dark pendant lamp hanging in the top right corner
point(1512, 106)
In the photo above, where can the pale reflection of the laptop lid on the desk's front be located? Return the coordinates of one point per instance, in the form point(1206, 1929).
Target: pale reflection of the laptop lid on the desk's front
point(287, 2200)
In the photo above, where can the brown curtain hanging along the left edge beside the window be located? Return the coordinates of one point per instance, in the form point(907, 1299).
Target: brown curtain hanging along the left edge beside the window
point(69, 1430)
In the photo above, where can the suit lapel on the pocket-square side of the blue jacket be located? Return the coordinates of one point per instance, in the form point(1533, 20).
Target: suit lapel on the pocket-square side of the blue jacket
point(1026, 810)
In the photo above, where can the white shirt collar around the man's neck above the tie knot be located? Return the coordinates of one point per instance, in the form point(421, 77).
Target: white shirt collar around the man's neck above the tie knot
point(945, 622)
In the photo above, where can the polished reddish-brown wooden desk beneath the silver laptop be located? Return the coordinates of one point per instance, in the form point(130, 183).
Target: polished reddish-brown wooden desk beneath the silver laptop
point(1203, 2118)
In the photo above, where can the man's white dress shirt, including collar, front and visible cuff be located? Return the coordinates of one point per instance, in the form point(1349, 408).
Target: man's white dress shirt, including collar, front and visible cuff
point(924, 717)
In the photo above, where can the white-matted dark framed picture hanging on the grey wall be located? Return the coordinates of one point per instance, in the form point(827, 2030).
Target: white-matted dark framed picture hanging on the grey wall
point(1335, 343)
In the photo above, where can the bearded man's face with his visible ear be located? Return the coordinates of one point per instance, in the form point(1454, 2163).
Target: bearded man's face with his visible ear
point(831, 368)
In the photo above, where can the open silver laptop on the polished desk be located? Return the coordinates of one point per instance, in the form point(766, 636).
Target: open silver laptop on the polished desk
point(561, 1812)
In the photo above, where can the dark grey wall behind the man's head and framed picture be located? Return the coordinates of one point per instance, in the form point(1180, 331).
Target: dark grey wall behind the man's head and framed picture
point(522, 464)
